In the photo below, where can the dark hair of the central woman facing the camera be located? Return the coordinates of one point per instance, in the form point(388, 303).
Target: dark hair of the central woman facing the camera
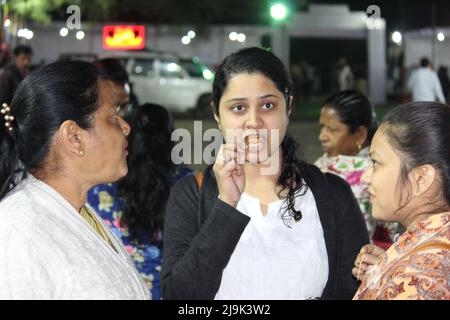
point(256, 60)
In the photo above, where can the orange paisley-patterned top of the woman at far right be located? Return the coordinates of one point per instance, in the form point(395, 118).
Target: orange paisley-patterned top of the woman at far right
point(416, 267)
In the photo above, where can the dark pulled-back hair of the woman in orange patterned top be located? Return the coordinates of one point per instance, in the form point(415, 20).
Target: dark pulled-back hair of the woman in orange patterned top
point(420, 131)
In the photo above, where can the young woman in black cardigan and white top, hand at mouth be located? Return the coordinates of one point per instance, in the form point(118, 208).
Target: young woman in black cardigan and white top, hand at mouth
point(263, 224)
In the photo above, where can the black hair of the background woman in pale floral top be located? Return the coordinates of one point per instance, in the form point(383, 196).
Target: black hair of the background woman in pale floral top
point(354, 110)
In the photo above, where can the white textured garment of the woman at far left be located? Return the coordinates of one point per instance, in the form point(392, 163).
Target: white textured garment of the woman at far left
point(48, 251)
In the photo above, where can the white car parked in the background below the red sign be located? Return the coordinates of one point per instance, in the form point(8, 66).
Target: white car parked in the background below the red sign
point(167, 80)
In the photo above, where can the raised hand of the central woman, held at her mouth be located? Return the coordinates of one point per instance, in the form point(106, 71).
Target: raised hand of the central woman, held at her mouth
point(229, 172)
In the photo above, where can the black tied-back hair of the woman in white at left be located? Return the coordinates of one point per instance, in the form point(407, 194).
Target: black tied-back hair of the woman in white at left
point(43, 101)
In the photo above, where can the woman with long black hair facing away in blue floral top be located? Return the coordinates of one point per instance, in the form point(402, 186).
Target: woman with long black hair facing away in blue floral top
point(134, 208)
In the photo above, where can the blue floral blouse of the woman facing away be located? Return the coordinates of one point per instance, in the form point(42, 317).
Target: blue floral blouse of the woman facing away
point(147, 255)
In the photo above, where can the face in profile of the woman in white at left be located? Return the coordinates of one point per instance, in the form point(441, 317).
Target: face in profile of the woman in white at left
point(106, 143)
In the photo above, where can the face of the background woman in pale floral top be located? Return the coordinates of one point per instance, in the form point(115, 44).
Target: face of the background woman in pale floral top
point(335, 136)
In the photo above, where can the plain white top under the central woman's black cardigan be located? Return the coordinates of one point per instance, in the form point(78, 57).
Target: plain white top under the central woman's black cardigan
point(272, 261)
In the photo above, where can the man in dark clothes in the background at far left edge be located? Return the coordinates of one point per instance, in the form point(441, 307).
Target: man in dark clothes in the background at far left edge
point(13, 74)
